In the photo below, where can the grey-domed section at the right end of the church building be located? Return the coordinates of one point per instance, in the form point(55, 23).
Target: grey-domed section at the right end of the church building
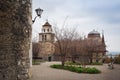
point(97, 46)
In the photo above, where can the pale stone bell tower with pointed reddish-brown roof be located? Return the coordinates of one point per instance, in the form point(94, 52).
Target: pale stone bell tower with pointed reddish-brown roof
point(46, 41)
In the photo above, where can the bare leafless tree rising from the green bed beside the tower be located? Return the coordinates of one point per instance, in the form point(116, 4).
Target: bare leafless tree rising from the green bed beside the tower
point(64, 38)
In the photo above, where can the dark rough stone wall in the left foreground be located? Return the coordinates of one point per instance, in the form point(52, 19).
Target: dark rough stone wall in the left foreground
point(15, 35)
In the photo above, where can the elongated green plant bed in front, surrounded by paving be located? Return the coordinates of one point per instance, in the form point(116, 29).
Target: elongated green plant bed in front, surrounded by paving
point(77, 69)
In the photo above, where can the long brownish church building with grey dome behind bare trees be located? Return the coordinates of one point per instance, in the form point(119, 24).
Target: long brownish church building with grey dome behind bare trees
point(90, 49)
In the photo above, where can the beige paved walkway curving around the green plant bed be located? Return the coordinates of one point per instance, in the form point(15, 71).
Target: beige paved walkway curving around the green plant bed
point(44, 72)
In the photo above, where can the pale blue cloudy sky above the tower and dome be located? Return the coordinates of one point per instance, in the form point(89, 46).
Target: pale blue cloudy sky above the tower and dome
point(86, 15)
